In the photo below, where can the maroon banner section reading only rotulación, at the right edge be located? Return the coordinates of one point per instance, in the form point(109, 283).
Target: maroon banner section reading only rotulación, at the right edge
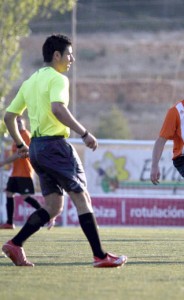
point(153, 212)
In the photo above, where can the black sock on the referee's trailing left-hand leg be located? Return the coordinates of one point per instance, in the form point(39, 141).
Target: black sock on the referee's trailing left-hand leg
point(39, 218)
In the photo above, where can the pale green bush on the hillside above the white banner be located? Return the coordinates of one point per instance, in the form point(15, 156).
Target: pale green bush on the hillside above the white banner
point(113, 125)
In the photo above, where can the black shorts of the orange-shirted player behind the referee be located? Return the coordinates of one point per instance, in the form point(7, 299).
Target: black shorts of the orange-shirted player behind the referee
point(20, 185)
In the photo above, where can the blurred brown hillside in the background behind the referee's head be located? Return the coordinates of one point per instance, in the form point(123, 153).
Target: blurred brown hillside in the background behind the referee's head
point(129, 57)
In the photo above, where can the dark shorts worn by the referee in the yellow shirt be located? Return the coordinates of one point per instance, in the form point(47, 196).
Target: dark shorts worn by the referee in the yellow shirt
point(57, 164)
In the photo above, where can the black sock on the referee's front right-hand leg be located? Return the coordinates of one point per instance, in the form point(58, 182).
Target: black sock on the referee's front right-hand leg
point(89, 227)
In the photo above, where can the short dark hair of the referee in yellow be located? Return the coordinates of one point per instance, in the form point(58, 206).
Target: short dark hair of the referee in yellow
point(55, 42)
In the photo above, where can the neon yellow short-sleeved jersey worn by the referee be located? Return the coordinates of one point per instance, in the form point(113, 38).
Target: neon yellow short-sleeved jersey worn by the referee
point(36, 94)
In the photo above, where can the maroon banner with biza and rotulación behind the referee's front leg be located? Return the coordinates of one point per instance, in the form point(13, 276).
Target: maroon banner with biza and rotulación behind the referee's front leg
point(133, 211)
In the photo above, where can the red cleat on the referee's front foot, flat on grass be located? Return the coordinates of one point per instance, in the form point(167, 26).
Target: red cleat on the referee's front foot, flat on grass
point(110, 261)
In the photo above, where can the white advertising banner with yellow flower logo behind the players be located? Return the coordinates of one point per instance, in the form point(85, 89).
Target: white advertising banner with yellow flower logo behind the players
point(112, 170)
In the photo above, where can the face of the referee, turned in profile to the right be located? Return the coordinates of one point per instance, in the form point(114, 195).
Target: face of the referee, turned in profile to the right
point(64, 61)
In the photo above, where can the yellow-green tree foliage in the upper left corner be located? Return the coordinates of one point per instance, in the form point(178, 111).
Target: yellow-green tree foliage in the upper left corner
point(15, 16)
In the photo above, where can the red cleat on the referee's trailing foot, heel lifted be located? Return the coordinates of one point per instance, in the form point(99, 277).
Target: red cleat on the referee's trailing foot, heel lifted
point(16, 254)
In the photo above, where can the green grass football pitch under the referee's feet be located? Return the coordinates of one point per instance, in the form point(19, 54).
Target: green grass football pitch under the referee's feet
point(63, 266)
